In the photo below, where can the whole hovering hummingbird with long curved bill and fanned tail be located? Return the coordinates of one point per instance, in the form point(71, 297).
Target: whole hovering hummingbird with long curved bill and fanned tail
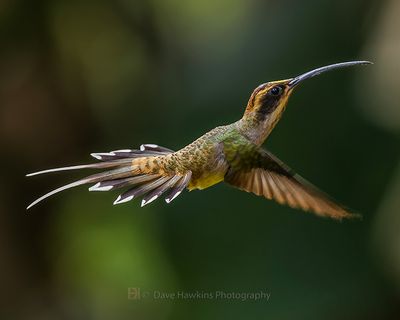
point(231, 153)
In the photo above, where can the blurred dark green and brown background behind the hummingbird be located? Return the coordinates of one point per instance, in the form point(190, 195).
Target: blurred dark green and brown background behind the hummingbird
point(91, 76)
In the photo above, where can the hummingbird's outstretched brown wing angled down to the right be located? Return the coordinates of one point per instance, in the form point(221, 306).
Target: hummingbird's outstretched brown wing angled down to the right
point(258, 171)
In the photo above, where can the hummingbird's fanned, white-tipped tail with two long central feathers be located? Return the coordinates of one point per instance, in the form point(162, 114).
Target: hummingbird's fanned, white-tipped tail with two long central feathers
point(141, 170)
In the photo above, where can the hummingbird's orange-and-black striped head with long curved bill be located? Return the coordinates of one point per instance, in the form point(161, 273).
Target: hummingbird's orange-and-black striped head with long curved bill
point(269, 100)
